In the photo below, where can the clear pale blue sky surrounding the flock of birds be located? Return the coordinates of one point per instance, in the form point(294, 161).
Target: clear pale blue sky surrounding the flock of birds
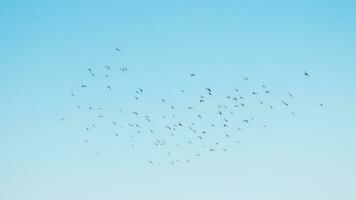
point(45, 48)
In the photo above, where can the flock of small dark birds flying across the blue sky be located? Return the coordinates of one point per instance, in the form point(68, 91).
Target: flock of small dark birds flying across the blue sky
point(179, 135)
